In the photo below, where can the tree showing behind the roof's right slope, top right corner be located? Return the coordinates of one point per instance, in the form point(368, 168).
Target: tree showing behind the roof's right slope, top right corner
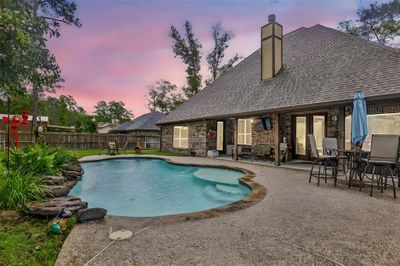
point(378, 22)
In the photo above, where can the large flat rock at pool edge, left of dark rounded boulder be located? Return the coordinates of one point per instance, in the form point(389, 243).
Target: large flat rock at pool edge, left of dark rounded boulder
point(51, 207)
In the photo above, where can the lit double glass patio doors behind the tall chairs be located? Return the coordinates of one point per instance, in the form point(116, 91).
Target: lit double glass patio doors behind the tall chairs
point(308, 124)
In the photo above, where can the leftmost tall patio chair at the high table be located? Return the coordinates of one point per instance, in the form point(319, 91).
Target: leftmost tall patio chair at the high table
point(326, 161)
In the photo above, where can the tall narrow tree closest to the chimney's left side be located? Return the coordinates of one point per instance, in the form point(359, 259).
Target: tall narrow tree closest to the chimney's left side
point(221, 40)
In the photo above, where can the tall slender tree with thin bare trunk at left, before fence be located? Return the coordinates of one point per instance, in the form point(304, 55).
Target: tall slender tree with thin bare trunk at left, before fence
point(47, 74)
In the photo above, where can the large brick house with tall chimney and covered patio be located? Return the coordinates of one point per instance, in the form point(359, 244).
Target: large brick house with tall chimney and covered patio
point(295, 84)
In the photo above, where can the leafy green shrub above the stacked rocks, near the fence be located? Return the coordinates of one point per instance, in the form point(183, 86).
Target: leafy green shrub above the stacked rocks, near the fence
point(34, 159)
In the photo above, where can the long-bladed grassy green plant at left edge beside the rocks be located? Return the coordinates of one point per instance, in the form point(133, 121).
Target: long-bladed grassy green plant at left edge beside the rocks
point(18, 187)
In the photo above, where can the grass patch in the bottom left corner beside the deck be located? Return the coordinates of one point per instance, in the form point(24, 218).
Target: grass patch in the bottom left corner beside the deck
point(25, 242)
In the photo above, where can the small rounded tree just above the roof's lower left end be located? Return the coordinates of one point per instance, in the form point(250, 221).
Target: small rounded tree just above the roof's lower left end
point(162, 97)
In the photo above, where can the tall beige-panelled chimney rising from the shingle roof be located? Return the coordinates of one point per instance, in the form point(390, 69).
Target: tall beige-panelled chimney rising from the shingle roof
point(271, 48)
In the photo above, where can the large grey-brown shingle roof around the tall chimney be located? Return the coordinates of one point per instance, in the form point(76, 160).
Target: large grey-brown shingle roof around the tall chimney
point(322, 66)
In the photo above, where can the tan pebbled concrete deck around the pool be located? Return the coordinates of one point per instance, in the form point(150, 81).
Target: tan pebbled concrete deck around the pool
point(296, 223)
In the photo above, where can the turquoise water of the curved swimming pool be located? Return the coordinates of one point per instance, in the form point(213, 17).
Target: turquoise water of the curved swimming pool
point(142, 187)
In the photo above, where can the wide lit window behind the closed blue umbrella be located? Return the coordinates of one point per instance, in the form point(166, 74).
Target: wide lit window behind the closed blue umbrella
point(377, 124)
